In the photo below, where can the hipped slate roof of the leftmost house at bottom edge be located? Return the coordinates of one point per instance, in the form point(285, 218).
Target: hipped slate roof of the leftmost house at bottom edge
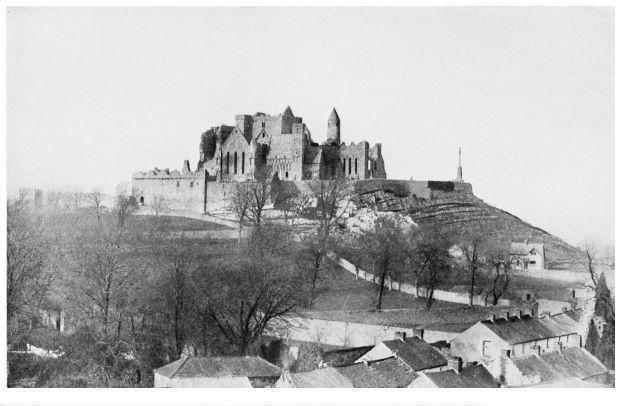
point(219, 367)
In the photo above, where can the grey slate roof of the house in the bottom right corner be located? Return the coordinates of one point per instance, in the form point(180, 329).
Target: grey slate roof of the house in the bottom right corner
point(568, 363)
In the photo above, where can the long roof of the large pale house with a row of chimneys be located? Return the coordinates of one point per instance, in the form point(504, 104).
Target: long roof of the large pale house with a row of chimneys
point(525, 329)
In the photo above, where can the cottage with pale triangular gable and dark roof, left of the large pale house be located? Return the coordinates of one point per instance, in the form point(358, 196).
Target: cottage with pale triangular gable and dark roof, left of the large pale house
point(414, 352)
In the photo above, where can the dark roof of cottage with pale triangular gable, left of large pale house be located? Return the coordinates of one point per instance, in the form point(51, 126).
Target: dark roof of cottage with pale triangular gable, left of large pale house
point(416, 353)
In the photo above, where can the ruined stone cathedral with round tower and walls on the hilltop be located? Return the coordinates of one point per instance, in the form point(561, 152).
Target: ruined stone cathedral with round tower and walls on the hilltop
point(280, 147)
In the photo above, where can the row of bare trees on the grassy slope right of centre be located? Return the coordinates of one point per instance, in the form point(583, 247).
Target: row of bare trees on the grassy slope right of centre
point(431, 255)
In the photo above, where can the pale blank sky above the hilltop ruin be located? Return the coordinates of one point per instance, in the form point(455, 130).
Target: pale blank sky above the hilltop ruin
point(94, 94)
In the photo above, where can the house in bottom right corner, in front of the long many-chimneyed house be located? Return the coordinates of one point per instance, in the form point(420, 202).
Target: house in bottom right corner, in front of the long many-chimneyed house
point(559, 368)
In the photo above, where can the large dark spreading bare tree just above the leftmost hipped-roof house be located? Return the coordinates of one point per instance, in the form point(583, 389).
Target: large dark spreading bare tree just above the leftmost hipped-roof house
point(244, 297)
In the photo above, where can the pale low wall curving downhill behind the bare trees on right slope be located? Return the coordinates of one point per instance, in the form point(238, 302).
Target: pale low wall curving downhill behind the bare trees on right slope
point(443, 295)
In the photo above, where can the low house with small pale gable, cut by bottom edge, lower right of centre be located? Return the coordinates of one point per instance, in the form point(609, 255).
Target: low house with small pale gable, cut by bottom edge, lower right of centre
point(470, 376)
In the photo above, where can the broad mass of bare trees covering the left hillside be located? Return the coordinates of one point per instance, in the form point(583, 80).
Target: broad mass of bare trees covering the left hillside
point(138, 297)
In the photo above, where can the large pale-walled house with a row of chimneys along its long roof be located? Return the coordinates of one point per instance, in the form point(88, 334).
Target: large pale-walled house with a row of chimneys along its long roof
point(521, 334)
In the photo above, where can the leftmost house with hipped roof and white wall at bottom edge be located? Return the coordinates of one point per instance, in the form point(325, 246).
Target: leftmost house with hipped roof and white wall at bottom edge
point(217, 372)
